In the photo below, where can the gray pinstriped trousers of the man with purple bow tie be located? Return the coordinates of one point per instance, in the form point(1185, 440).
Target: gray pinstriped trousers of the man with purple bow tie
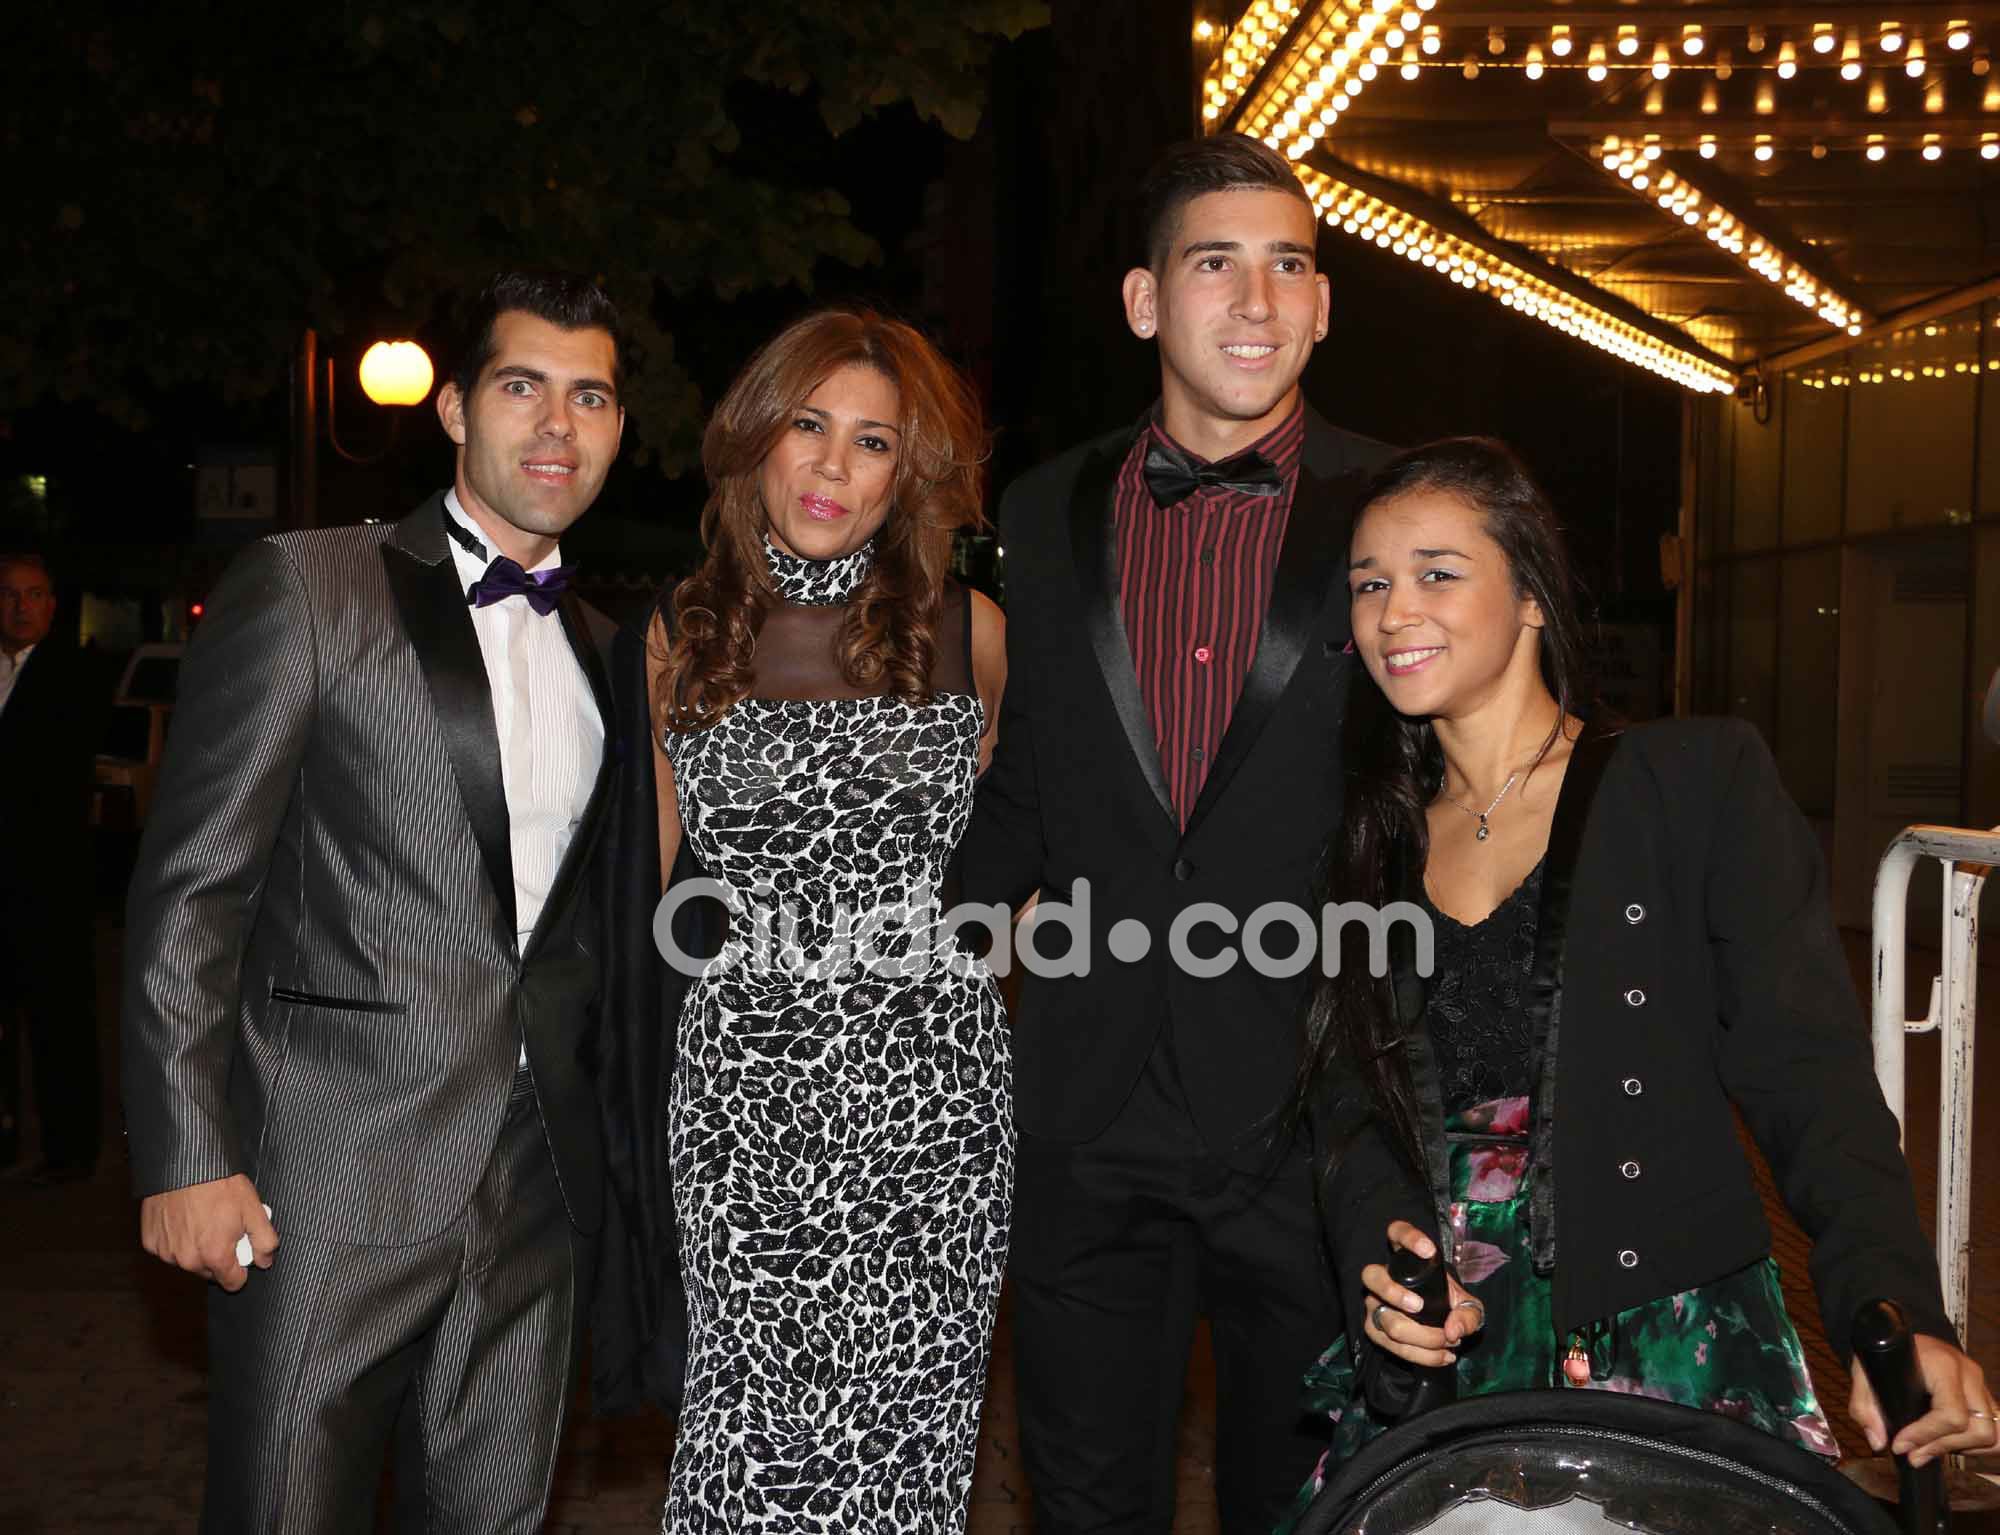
point(461, 1350)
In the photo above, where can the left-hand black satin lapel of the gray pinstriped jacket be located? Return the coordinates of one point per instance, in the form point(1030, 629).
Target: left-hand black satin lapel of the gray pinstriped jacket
point(441, 631)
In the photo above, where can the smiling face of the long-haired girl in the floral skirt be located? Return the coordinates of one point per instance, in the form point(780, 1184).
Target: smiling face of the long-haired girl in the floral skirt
point(1437, 619)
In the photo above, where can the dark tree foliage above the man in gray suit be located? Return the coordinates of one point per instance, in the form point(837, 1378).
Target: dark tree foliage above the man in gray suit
point(197, 185)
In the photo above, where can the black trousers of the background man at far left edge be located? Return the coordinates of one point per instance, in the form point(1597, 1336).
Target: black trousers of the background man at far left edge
point(49, 952)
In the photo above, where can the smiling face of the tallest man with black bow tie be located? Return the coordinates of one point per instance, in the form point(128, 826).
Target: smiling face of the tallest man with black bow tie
point(1237, 307)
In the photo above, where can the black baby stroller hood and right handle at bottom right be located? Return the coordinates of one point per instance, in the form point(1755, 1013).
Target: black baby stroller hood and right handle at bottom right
point(1593, 1462)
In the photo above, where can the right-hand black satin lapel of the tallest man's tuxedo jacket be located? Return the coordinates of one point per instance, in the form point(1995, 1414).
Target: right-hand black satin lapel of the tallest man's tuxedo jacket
point(1315, 545)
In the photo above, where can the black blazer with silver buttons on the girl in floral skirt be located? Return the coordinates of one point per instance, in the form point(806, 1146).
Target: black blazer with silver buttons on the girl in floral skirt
point(1687, 960)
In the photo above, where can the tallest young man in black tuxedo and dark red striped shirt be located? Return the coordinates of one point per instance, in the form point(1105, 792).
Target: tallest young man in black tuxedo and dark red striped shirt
point(1177, 671)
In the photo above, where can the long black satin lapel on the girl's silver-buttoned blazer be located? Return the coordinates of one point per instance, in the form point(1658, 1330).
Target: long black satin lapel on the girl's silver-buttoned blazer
point(1545, 982)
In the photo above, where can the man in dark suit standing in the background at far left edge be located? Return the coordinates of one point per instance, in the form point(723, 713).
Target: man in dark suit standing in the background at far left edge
point(51, 709)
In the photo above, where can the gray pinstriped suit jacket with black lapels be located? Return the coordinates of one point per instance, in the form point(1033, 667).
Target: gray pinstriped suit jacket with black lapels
point(323, 986)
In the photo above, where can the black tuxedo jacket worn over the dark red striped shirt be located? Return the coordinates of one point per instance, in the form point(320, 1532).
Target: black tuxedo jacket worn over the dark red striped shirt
point(1077, 794)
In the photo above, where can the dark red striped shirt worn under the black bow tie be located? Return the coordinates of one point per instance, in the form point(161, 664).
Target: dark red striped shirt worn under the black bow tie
point(1193, 589)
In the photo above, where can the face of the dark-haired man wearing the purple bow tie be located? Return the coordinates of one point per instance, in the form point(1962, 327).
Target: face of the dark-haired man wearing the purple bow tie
point(539, 431)
